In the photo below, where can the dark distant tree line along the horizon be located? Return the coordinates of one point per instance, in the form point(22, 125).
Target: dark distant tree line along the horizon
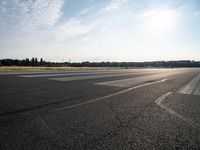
point(40, 62)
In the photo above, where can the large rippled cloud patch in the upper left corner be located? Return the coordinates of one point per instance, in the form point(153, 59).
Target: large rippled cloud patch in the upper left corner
point(30, 14)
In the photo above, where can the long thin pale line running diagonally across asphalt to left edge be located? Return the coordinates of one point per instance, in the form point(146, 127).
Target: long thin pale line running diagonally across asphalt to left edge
point(21, 118)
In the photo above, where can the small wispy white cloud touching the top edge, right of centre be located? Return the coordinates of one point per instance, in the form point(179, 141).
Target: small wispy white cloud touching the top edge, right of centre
point(113, 5)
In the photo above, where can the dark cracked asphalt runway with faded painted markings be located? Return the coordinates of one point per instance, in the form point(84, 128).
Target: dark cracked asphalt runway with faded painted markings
point(104, 109)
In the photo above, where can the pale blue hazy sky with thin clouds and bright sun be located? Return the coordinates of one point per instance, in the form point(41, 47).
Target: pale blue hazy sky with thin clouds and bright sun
point(100, 30)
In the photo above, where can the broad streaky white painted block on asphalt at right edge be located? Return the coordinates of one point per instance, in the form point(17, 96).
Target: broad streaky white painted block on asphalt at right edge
point(193, 87)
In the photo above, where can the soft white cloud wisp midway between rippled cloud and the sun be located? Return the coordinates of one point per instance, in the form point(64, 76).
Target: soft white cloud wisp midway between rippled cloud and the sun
point(72, 28)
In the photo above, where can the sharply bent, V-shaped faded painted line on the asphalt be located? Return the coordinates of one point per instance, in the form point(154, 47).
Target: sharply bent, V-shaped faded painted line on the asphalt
point(181, 117)
